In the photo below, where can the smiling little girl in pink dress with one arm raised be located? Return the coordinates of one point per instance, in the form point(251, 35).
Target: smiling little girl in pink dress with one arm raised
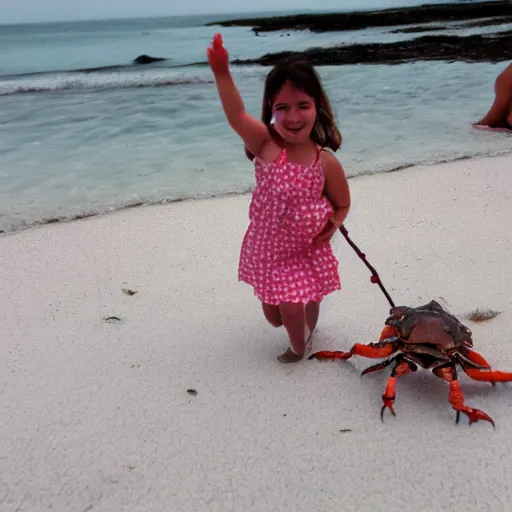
point(301, 196)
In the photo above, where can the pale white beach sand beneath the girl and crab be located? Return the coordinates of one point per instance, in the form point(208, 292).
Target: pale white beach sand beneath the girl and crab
point(96, 416)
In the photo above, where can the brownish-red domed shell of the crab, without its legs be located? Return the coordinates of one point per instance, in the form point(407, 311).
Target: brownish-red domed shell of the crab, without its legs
point(429, 324)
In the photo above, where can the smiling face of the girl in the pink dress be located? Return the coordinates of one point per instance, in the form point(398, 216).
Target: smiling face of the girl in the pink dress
point(293, 114)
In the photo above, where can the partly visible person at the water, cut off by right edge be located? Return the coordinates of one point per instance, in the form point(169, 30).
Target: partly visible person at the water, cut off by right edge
point(499, 117)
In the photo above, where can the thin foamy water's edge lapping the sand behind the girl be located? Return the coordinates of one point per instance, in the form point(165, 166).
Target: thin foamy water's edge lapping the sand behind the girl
point(95, 212)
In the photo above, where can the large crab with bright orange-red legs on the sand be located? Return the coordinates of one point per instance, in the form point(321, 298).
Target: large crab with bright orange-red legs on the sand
point(432, 338)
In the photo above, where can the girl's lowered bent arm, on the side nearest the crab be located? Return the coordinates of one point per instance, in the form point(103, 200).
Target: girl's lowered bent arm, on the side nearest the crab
point(338, 193)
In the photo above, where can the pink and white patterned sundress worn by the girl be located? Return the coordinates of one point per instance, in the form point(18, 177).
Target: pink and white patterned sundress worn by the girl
point(286, 213)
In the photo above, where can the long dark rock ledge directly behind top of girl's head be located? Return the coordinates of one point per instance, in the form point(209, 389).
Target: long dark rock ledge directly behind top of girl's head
point(475, 48)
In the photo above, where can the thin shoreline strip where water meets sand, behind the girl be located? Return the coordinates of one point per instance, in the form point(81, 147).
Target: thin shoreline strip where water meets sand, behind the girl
point(46, 220)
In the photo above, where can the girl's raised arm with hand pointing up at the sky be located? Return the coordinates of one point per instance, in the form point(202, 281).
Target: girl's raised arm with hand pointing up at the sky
point(253, 132)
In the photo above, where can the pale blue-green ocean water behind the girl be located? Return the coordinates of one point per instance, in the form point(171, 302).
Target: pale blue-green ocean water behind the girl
point(76, 140)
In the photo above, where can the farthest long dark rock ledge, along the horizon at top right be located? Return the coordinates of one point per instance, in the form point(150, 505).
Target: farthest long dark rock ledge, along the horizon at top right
point(337, 21)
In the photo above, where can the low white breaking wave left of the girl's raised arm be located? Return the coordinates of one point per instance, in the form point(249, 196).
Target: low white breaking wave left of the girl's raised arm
point(57, 82)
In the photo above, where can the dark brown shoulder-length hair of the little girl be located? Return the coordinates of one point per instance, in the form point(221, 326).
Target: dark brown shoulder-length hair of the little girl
point(303, 76)
